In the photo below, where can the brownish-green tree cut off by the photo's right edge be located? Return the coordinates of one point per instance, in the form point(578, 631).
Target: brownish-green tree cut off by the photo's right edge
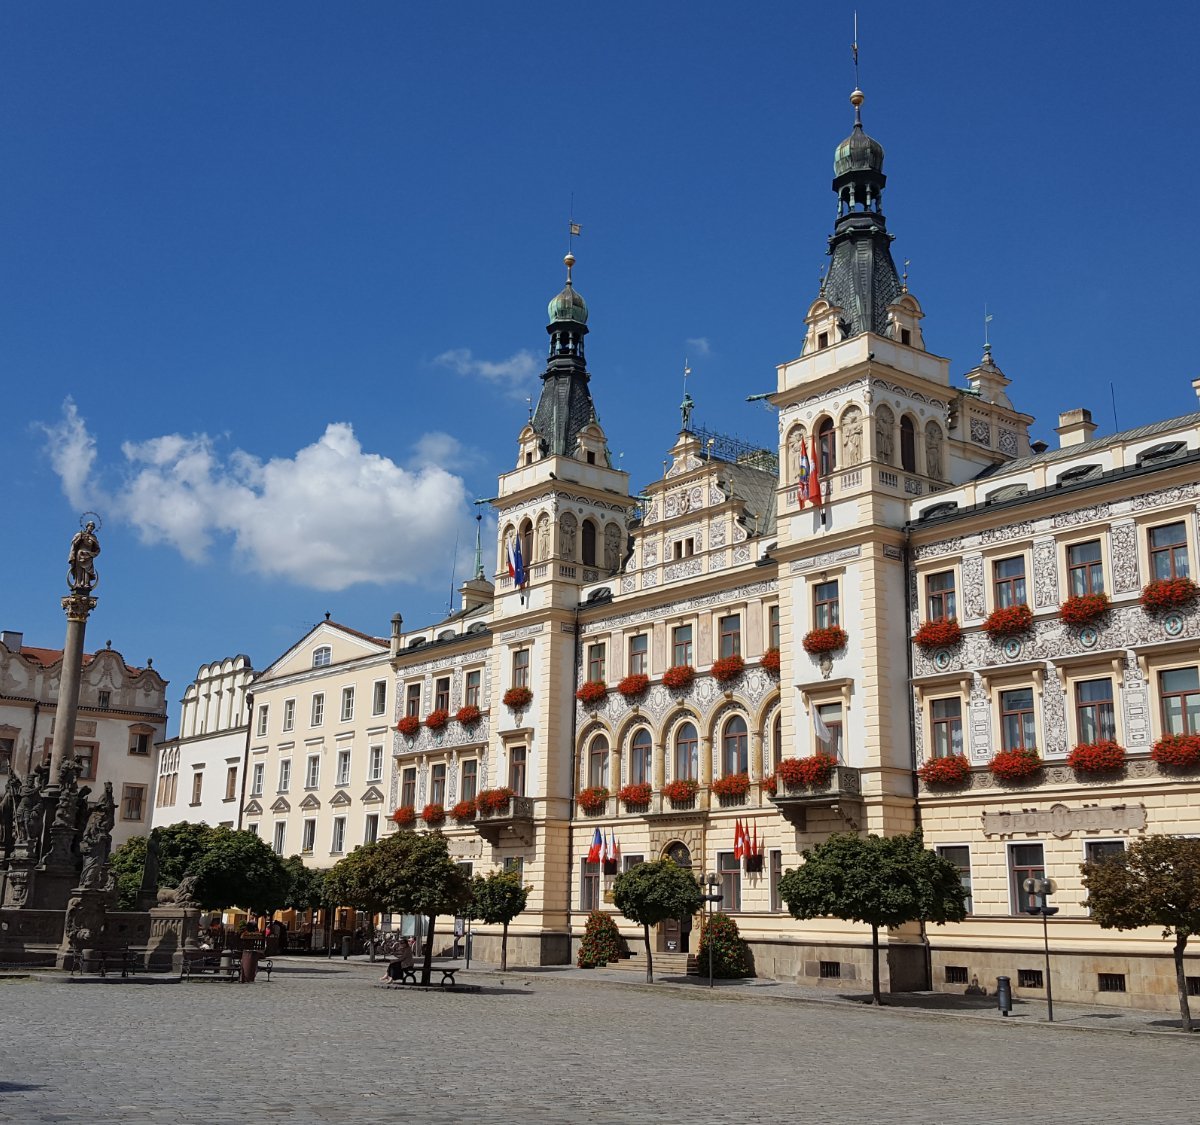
point(1156, 882)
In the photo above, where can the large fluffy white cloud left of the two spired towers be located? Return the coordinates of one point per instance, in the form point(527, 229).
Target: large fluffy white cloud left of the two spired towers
point(328, 518)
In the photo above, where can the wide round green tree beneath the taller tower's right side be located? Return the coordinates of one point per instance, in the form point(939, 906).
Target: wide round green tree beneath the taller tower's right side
point(881, 881)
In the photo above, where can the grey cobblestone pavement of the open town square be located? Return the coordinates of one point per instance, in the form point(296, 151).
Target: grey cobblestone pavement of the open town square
point(322, 1043)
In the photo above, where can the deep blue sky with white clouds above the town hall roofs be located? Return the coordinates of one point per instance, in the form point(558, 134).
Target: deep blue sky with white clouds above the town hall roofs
point(274, 276)
